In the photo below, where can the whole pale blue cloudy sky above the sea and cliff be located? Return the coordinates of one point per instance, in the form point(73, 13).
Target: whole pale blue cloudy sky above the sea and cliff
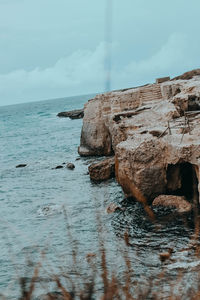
point(56, 48)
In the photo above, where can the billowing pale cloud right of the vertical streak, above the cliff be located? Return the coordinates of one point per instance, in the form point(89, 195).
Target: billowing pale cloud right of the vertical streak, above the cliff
point(173, 57)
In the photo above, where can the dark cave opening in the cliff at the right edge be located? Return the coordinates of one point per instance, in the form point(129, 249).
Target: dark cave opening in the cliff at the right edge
point(182, 180)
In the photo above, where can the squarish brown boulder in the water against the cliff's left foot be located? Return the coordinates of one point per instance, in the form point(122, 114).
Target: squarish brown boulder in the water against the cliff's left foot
point(102, 170)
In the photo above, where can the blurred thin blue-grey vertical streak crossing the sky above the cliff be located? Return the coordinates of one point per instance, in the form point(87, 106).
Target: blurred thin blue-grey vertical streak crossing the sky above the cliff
point(108, 45)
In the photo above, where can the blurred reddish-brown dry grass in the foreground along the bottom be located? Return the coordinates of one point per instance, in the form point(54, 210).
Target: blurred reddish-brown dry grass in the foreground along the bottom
point(83, 287)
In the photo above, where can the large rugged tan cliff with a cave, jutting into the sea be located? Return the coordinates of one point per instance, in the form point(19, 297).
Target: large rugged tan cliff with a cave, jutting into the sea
point(154, 132)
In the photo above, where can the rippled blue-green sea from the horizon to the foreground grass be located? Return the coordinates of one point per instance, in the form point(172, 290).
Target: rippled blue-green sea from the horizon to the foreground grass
point(53, 219)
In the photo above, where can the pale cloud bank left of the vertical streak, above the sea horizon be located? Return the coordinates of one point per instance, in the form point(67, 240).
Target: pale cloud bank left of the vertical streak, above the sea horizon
point(80, 73)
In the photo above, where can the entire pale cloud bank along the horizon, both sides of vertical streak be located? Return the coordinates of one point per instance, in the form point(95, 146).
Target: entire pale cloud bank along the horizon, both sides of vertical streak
point(82, 72)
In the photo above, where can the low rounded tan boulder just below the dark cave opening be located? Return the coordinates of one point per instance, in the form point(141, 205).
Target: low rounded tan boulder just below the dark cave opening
point(178, 202)
